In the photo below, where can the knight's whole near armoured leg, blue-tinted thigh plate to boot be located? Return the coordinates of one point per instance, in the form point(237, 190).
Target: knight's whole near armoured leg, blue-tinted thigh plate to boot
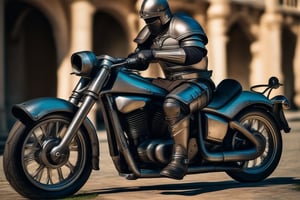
point(182, 101)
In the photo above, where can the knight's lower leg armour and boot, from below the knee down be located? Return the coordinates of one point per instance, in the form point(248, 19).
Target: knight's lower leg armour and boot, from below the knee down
point(178, 166)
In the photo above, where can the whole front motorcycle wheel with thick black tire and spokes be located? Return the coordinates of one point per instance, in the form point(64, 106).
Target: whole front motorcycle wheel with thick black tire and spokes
point(27, 164)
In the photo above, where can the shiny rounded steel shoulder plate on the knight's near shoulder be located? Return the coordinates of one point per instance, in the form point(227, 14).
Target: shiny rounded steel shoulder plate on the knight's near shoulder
point(182, 26)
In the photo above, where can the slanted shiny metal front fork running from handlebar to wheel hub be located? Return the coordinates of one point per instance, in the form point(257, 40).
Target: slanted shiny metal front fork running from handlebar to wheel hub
point(91, 96)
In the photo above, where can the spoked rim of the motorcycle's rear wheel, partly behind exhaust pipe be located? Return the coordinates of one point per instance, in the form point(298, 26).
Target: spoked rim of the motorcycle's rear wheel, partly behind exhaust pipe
point(262, 126)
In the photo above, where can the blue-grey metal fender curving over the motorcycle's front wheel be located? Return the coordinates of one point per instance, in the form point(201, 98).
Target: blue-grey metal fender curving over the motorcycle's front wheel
point(35, 109)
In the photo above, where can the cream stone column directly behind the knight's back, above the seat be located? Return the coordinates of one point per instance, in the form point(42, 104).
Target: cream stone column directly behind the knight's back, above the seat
point(218, 13)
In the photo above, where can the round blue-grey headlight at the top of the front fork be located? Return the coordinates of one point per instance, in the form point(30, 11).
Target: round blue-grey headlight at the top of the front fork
point(84, 63)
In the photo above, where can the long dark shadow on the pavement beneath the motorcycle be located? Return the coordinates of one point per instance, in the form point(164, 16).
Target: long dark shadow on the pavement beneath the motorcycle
point(196, 188)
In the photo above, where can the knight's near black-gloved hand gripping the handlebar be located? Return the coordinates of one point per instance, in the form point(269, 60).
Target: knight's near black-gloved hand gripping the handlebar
point(140, 60)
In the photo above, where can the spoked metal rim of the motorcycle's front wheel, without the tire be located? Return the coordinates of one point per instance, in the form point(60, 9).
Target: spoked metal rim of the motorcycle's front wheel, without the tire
point(36, 162)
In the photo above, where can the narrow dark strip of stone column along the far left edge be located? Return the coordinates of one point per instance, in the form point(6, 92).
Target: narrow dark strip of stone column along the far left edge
point(3, 131)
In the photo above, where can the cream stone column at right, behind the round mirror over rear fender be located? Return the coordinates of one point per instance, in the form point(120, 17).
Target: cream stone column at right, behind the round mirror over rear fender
point(270, 44)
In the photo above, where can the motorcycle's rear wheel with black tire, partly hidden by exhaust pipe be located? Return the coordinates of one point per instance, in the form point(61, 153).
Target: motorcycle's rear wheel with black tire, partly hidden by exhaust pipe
point(257, 120)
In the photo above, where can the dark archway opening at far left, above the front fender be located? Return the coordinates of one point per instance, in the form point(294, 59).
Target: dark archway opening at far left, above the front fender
point(31, 62)
